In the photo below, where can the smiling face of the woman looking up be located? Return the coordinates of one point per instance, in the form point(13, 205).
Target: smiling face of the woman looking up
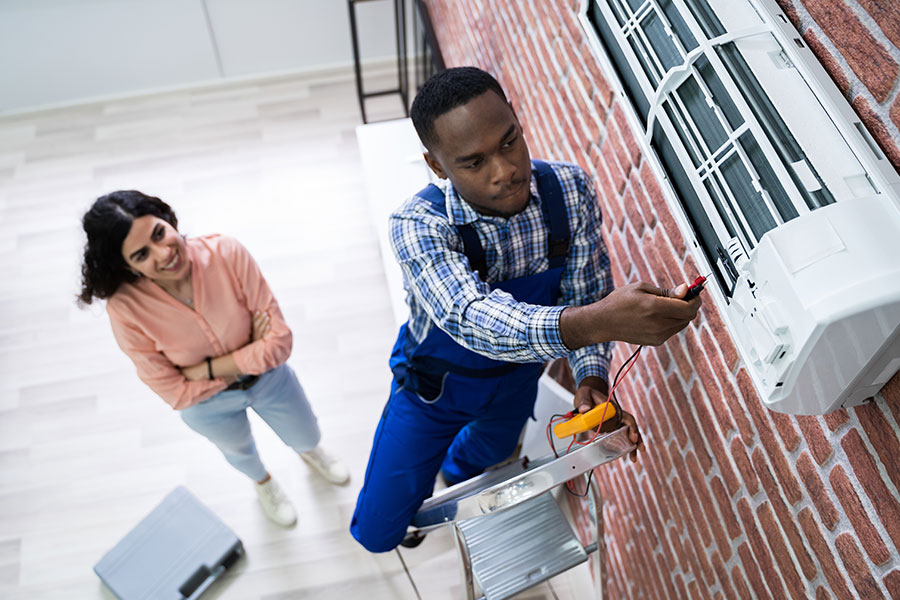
point(156, 250)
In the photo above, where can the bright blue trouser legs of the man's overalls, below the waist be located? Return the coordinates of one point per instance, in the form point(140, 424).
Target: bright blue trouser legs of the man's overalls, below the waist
point(473, 424)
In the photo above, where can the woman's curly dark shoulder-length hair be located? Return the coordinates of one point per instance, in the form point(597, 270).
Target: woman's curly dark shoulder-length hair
point(107, 224)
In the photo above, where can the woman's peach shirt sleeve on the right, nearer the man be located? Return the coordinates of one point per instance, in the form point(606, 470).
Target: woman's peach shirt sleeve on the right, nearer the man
point(274, 348)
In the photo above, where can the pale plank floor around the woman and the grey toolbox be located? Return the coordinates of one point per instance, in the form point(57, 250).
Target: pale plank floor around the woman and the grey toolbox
point(85, 449)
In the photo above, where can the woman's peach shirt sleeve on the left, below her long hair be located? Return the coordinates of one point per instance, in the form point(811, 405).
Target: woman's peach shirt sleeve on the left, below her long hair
point(156, 370)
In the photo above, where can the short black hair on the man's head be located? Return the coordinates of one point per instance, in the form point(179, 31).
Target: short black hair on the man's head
point(445, 91)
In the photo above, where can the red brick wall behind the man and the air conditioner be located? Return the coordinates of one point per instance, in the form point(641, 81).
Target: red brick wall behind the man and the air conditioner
point(730, 500)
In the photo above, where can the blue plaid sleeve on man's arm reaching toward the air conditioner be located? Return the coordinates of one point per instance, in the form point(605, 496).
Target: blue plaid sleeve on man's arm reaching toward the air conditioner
point(490, 322)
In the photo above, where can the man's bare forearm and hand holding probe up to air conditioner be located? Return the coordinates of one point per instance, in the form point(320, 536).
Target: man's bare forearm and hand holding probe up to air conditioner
point(638, 313)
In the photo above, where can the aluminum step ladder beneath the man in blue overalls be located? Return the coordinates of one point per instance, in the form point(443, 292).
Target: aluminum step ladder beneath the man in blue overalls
point(509, 531)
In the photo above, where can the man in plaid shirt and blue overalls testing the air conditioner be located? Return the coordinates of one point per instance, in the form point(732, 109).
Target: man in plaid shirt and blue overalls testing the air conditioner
point(505, 269)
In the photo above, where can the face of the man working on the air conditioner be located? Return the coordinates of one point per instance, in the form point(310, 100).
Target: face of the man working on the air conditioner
point(481, 150)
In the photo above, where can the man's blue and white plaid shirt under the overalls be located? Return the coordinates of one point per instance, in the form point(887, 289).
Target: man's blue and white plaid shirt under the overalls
point(443, 291)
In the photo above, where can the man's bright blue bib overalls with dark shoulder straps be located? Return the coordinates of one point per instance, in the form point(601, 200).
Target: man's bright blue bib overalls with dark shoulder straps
point(450, 408)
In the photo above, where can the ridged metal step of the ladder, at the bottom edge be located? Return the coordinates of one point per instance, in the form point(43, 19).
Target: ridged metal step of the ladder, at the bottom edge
point(519, 547)
